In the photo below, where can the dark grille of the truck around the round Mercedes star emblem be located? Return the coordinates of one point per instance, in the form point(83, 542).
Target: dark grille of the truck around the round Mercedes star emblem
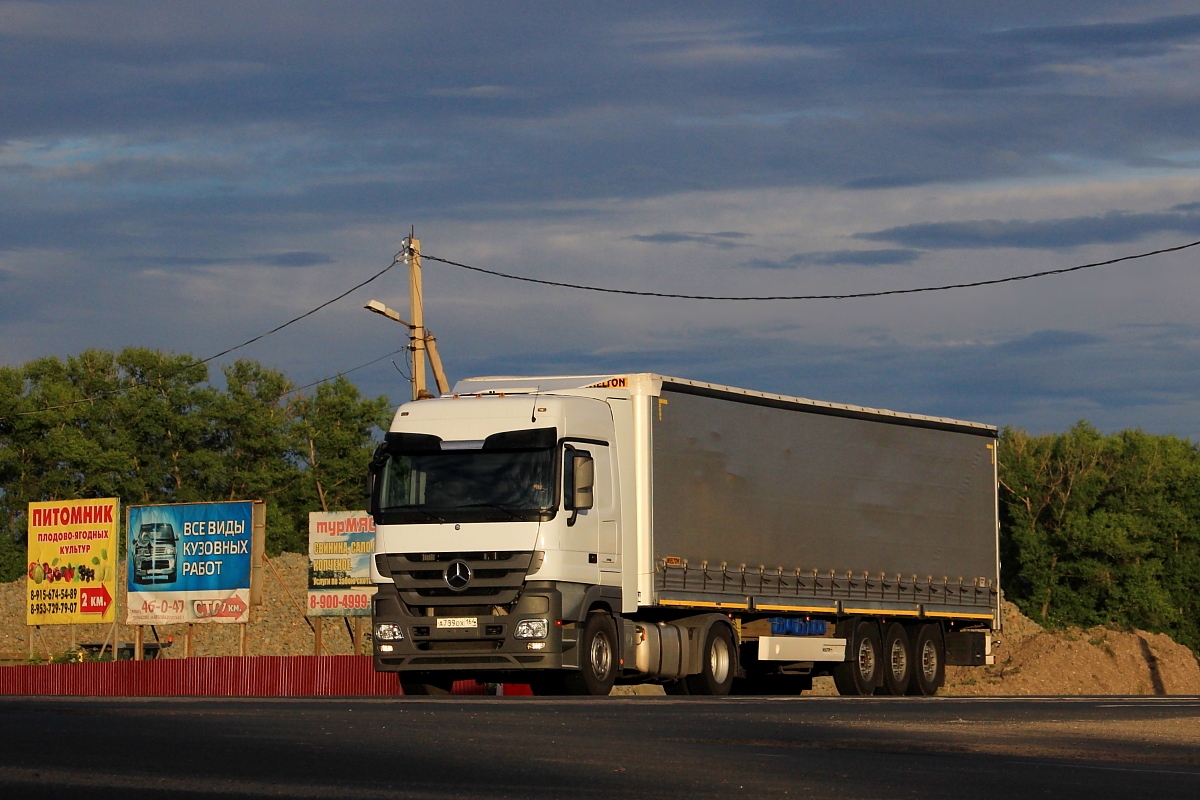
point(422, 578)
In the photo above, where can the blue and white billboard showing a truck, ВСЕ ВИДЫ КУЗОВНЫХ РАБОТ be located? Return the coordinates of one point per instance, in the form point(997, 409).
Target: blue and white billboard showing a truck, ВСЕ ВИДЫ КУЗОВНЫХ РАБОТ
point(191, 563)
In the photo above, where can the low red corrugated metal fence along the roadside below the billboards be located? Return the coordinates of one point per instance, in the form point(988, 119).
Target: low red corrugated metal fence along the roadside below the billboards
point(225, 677)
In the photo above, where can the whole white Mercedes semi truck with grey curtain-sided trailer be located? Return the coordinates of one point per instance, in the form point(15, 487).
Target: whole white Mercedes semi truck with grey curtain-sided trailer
point(572, 533)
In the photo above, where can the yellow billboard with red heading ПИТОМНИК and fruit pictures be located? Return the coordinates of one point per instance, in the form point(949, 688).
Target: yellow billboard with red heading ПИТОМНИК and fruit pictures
point(71, 575)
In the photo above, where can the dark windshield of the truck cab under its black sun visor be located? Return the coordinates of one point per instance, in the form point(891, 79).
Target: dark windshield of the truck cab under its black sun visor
point(493, 482)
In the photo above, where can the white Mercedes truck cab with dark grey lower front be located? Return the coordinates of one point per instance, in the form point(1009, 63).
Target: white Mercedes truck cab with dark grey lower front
point(499, 530)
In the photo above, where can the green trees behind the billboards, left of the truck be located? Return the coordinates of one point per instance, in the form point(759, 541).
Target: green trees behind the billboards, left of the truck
point(157, 431)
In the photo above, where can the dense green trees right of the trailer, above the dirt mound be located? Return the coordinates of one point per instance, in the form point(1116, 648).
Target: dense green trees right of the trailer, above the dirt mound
point(1102, 530)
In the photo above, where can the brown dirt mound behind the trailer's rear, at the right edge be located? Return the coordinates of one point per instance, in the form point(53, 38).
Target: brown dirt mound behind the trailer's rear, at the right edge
point(1033, 660)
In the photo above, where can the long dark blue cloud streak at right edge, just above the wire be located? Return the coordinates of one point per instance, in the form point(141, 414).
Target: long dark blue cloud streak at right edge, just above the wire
point(1114, 227)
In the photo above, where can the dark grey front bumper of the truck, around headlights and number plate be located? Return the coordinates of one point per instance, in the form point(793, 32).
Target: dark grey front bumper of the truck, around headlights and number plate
point(489, 647)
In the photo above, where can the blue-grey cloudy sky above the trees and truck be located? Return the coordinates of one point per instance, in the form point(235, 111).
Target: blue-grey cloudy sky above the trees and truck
point(185, 177)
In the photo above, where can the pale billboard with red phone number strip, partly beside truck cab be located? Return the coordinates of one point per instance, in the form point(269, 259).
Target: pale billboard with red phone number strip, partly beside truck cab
point(340, 550)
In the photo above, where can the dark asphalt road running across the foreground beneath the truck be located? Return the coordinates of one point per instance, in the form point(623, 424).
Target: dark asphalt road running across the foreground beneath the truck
point(604, 748)
